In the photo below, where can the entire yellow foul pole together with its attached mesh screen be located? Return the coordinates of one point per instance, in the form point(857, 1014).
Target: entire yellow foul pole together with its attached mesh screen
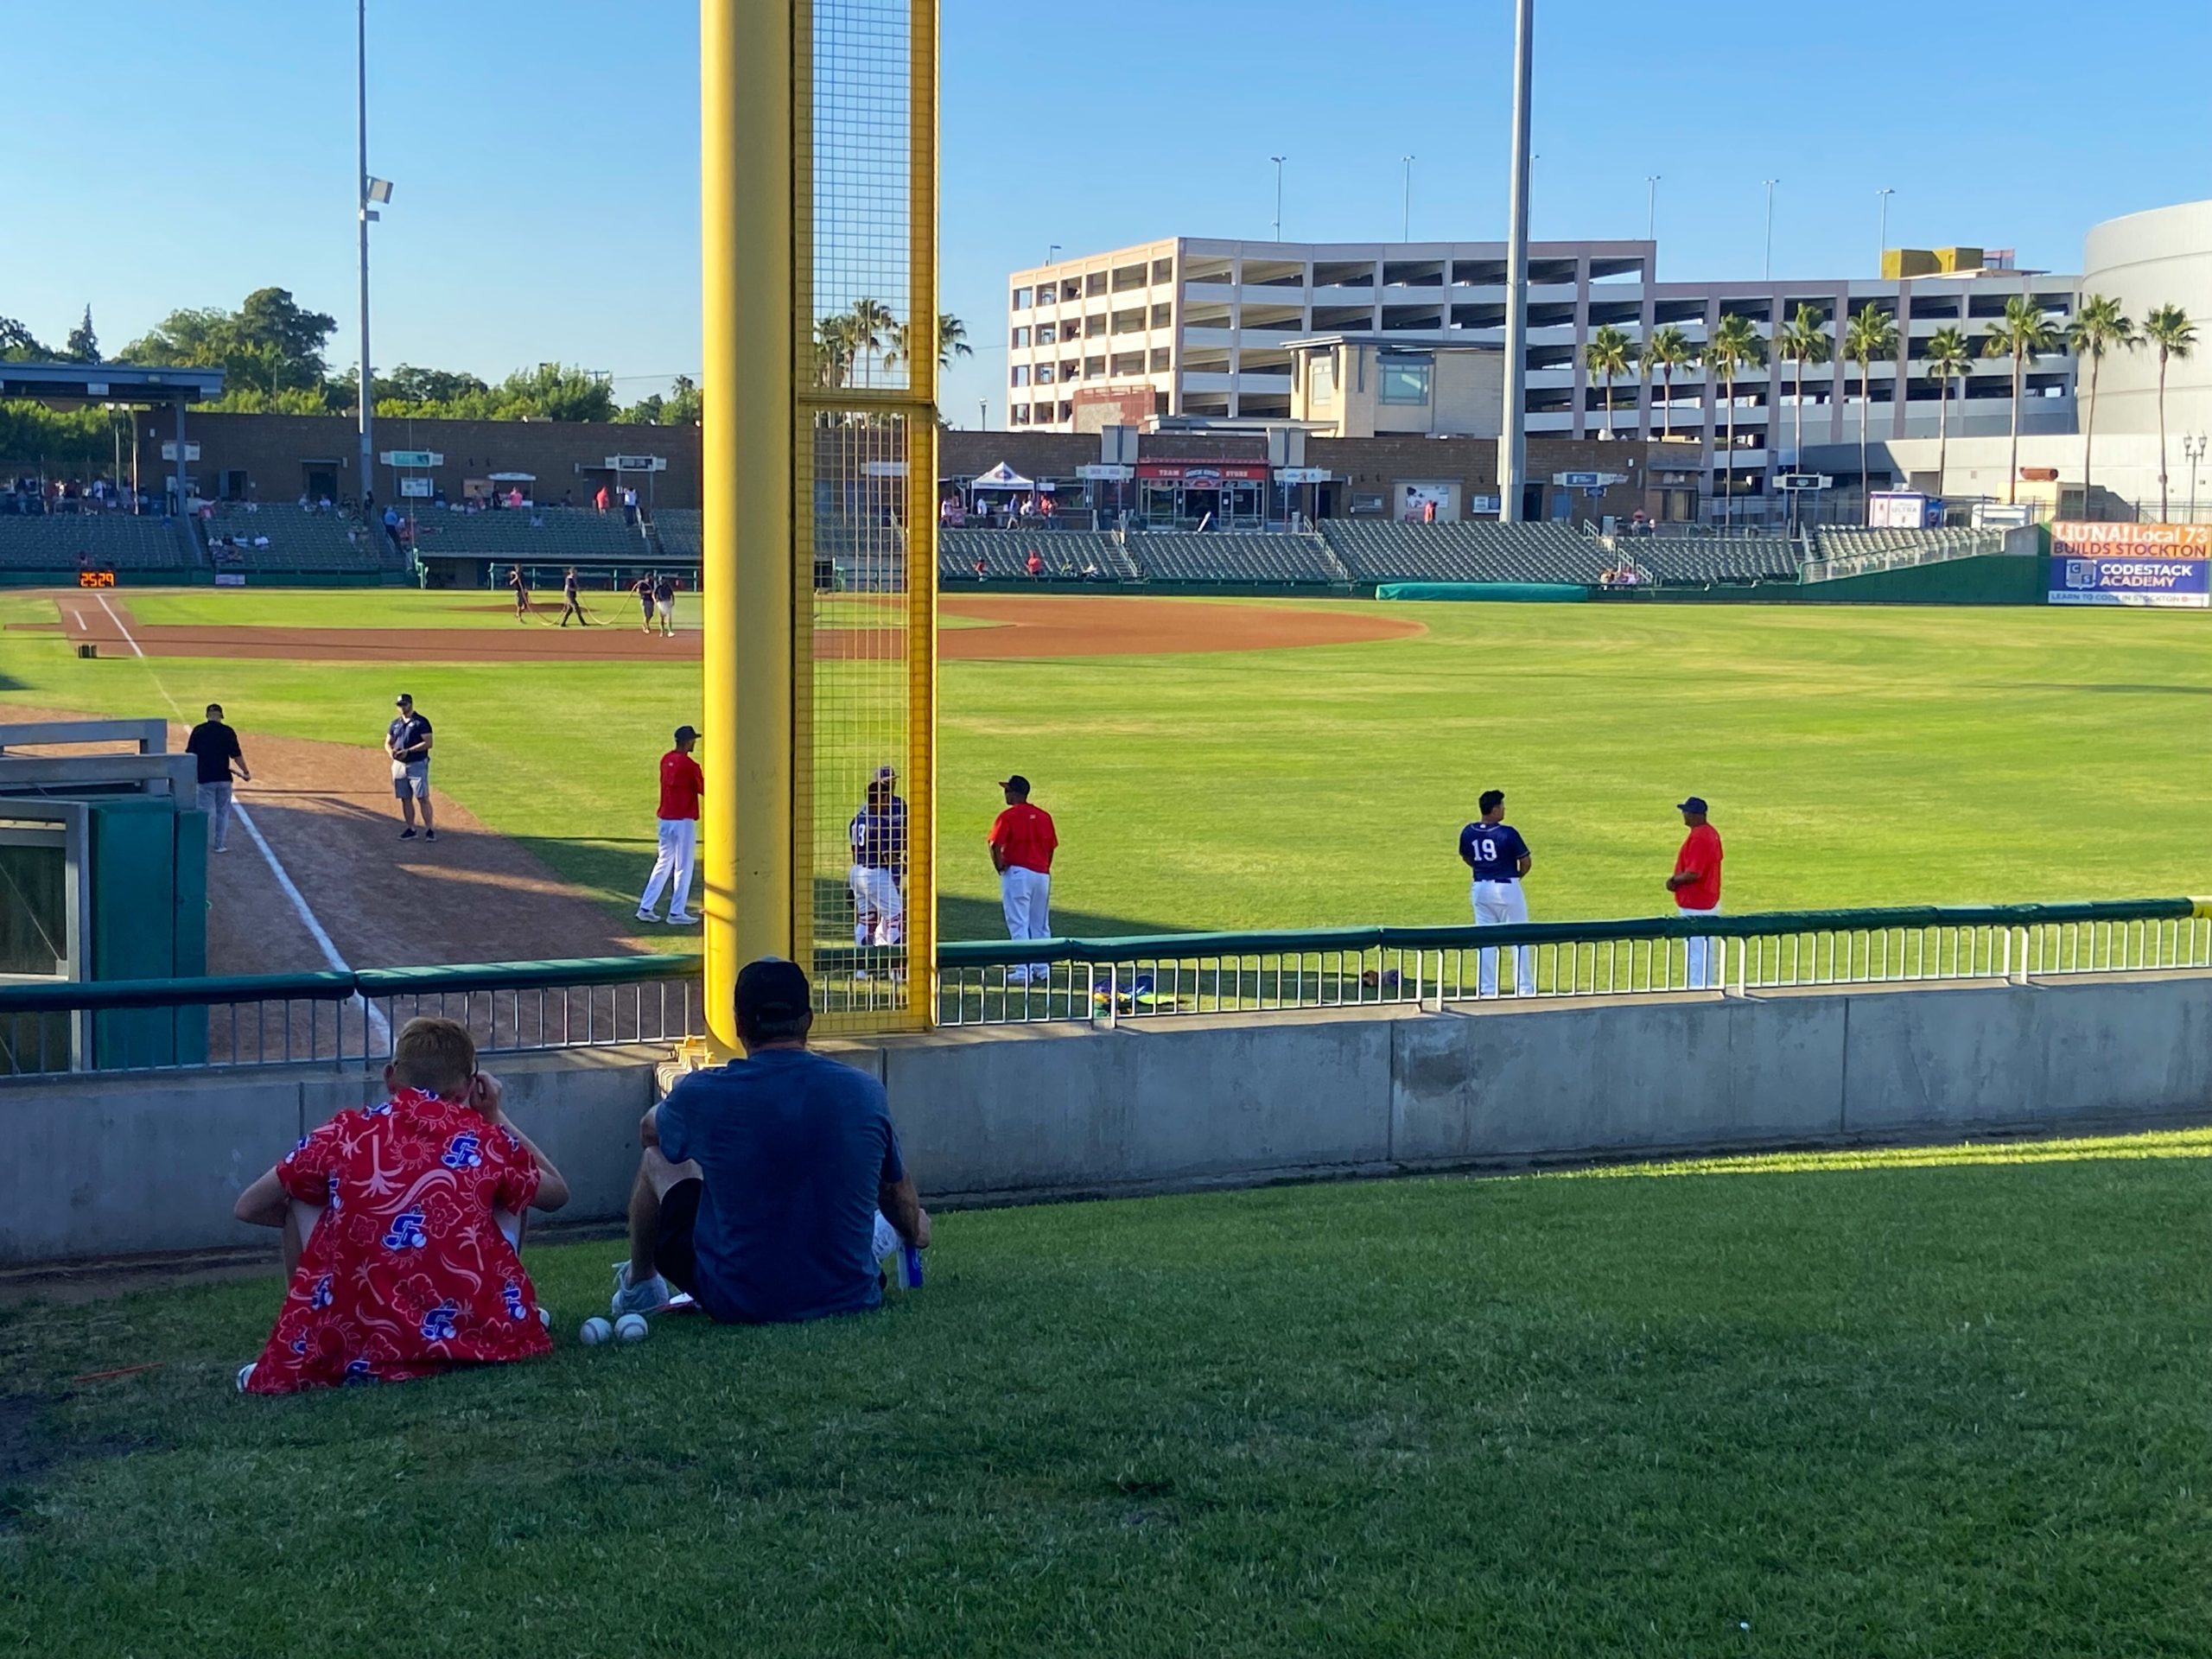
point(820, 439)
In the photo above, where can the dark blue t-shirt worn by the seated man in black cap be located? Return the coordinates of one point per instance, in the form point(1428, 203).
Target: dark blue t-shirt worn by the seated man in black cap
point(793, 1149)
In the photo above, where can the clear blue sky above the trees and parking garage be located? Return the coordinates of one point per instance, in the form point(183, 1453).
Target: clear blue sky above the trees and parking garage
point(547, 152)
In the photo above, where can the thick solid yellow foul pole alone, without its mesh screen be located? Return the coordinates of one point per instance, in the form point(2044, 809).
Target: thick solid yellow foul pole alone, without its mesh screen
point(747, 452)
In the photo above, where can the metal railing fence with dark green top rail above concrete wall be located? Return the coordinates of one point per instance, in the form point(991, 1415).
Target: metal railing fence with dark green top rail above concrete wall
point(521, 1008)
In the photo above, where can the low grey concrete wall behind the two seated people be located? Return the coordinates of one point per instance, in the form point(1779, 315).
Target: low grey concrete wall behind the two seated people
point(118, 1165)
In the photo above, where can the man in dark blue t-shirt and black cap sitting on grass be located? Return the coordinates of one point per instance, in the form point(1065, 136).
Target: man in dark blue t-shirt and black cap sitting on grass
point(773, 1187)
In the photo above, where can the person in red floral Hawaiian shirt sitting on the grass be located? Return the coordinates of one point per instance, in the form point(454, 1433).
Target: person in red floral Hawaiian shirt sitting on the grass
point(401, 1229)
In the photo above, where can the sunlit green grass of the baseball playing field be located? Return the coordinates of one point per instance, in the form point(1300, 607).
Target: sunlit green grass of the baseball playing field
point(1853, 755)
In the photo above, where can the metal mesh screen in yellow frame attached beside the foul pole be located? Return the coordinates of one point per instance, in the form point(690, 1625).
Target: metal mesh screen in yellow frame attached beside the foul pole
point(866, 455)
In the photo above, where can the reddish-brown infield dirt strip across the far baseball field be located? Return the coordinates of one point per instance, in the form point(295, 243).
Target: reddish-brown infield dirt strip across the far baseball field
point(1012, 627)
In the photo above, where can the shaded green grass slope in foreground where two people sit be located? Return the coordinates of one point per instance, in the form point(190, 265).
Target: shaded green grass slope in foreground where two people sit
point(1923, 1404)
